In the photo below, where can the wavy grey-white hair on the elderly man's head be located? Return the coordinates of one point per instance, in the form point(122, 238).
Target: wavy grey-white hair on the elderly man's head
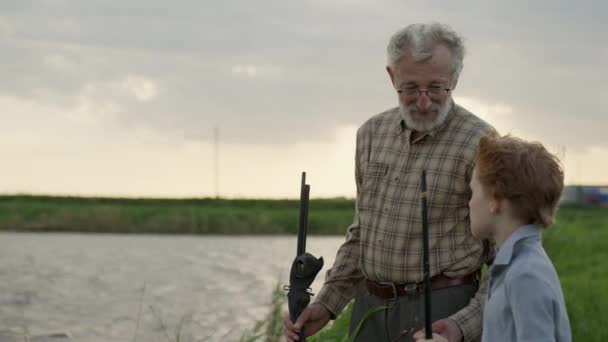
point(419, 40)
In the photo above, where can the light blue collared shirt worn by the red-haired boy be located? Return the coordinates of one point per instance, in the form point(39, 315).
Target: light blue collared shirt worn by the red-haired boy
point(525, 300)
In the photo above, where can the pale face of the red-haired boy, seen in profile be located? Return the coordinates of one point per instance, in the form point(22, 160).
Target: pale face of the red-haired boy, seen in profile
point(482, 217)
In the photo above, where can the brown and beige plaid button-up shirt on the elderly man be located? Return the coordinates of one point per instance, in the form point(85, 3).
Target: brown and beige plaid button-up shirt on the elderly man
point(384, 243)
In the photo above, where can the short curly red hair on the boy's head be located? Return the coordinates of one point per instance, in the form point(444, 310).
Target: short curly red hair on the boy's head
point(524, 173)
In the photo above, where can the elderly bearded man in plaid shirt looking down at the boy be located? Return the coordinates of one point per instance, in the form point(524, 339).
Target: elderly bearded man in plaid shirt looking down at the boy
point(380, 263)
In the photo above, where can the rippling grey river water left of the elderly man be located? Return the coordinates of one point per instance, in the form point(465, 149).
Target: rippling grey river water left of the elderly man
point(100, 287)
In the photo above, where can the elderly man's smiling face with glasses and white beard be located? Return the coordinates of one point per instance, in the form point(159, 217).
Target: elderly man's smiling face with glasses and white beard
point(426, 110)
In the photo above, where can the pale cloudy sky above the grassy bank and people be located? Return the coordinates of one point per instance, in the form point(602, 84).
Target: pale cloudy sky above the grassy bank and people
point(122, 98)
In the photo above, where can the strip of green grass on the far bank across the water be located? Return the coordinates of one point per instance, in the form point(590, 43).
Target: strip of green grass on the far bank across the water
point(183, 216)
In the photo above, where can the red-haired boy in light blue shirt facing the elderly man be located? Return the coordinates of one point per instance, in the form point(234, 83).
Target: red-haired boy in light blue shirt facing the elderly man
point(516, 187)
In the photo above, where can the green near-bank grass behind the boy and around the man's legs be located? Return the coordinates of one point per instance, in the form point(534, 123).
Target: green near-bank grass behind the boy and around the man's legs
point(578, 246)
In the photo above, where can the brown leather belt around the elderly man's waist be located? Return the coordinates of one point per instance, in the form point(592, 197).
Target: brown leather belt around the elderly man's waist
point(388, 290)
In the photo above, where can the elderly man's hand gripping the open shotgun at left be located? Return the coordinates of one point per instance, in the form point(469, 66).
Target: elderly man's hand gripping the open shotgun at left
point(313, 318)
